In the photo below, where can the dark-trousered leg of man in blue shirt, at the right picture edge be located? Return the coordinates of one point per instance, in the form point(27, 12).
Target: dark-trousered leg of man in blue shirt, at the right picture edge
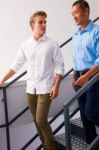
point(92, 105)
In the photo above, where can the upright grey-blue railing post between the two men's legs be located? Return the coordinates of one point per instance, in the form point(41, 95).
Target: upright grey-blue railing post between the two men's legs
point(67, 128)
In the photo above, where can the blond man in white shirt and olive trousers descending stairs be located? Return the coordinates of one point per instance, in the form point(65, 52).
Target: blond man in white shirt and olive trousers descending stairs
point(45, 69)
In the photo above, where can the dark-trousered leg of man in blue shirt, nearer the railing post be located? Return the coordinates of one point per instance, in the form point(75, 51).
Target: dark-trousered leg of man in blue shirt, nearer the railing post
point(89, 126)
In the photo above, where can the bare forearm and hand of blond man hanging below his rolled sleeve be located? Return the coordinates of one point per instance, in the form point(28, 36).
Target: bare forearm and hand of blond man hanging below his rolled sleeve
point(55, 88)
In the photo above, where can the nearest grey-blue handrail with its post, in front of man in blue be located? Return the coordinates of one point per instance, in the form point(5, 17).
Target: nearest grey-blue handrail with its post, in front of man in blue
point(69, 103)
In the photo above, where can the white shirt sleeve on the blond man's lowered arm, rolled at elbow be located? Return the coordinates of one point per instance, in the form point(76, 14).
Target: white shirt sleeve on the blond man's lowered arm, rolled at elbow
point(58, 59)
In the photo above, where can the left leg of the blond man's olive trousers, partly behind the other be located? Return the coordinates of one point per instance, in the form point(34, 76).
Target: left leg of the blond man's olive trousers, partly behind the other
point(32, 102)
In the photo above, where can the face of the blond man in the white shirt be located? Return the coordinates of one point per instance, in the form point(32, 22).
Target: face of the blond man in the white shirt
point(39, 25)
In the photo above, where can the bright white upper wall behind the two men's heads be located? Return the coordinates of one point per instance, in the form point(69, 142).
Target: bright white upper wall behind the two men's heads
point(14, 26)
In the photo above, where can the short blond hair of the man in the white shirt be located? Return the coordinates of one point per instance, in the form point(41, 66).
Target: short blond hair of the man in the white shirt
point(35, 14)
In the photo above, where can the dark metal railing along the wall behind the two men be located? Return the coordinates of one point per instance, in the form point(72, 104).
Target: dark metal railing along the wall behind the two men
point(7, 122)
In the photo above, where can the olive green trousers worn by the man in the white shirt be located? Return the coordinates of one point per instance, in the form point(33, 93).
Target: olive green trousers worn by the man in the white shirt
point(39, 107)
